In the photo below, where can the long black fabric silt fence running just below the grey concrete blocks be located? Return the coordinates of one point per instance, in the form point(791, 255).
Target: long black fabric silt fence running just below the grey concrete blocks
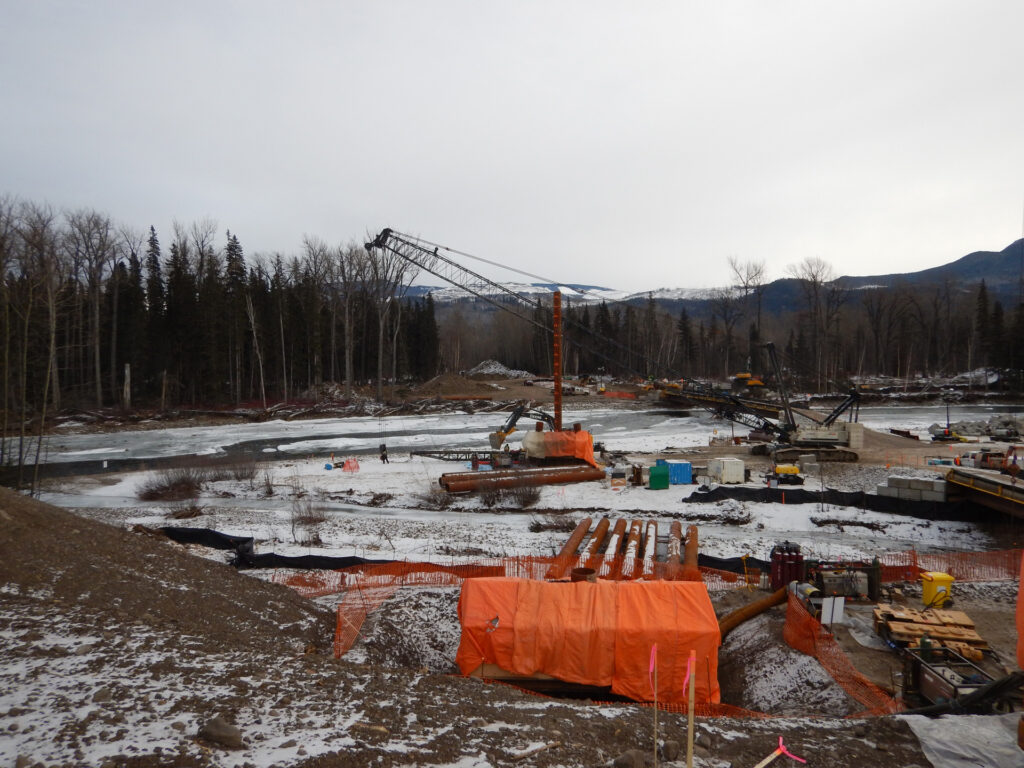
point(859, 499)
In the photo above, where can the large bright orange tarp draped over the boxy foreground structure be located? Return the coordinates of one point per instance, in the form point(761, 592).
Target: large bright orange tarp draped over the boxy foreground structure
point(593, 634)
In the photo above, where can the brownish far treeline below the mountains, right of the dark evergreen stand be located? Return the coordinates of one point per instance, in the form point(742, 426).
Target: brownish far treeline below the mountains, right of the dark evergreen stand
point(906, 330)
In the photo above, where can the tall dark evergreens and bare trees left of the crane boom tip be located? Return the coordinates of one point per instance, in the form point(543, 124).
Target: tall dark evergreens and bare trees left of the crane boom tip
point(96, 315)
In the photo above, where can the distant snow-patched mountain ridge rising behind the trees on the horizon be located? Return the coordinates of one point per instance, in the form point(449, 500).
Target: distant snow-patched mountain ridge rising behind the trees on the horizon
point(1002, 271)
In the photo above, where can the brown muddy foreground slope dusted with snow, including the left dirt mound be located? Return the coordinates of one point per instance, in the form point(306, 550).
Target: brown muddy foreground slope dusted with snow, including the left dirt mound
point(121, 648)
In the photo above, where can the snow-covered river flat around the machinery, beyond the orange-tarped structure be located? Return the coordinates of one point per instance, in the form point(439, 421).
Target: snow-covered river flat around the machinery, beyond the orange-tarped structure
point(392, 510)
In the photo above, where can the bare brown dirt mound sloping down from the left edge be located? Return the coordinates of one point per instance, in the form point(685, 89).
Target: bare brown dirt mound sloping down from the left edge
point(131, 576)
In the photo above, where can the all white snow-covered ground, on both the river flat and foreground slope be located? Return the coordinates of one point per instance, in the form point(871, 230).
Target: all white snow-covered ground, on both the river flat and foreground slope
point(388, 511)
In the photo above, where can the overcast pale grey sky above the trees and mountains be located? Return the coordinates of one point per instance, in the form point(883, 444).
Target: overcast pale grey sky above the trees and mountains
point(633, 145)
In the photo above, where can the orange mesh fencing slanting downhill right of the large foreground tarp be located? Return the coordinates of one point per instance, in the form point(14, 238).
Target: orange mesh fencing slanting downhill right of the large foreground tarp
point(804, 633)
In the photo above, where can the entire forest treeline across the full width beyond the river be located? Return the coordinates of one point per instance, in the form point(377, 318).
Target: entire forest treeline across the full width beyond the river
point(97, 315)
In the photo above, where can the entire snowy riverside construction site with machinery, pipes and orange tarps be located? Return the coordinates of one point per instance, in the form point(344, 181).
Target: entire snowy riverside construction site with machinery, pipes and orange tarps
point(663, 573)
